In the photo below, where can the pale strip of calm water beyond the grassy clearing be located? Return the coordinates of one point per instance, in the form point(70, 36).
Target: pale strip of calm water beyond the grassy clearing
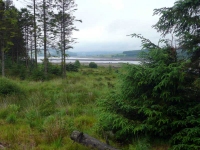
point(88, 60)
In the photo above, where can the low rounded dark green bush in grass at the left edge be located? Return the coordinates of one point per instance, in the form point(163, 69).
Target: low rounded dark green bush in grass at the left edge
point(8, 87)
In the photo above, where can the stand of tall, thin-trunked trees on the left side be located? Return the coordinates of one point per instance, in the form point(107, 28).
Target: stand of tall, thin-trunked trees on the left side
point(37, 27)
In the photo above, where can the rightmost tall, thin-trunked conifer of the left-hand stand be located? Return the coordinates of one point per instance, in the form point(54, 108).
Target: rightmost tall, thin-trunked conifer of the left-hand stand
point(64, 22)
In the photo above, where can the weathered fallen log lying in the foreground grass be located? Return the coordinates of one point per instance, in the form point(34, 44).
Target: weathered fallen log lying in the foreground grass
point(89, 141)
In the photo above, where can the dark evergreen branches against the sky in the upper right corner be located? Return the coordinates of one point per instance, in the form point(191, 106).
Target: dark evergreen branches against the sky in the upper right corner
point(182, 20)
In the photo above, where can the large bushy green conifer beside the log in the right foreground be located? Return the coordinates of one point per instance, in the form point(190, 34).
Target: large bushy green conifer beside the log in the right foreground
point(157, 99)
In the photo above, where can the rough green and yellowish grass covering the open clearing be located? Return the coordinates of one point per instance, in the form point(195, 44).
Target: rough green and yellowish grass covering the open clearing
point(49, 111)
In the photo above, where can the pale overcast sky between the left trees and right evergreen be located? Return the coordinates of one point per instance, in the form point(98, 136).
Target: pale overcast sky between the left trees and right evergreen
point(106, 23)
